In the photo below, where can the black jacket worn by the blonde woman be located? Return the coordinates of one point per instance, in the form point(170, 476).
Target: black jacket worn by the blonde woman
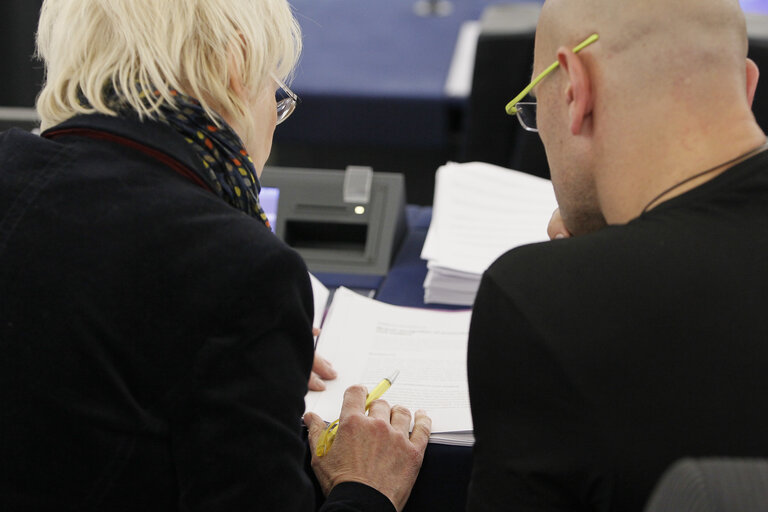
point(155, 343)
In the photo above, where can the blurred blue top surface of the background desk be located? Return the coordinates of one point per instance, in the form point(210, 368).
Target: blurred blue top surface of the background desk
point(375, 49)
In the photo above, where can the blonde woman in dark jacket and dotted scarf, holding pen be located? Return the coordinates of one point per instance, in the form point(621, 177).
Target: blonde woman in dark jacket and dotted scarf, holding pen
point(155, 337)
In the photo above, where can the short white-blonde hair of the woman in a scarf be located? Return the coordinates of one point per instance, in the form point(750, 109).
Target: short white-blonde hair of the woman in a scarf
point(134, 45)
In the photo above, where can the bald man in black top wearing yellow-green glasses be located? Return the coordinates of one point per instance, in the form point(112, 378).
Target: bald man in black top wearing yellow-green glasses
point(640, 335)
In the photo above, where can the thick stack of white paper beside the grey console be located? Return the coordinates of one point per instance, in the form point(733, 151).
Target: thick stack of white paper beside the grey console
point(479, 212)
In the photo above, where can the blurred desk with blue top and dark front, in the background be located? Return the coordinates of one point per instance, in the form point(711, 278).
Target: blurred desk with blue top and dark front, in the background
point(374, 73)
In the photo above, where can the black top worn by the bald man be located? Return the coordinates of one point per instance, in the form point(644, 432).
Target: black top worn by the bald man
point(596, 362)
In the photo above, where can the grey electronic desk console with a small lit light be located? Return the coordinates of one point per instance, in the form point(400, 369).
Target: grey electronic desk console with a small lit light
point(341, 222)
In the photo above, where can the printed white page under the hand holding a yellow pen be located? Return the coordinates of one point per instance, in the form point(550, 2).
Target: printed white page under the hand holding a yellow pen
point(367, 340)
